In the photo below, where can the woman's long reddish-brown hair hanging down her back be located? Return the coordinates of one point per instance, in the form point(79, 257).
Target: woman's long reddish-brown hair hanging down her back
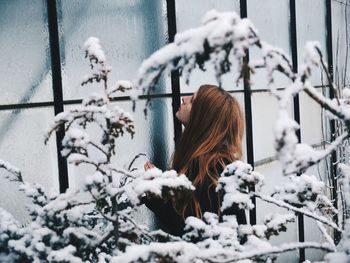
point(212, 137)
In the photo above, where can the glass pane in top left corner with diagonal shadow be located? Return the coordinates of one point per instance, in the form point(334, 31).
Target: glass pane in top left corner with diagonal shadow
point(25, 70)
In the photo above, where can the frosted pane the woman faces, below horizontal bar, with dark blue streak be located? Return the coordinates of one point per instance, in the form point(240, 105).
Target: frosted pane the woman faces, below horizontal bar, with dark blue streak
point(154, 136)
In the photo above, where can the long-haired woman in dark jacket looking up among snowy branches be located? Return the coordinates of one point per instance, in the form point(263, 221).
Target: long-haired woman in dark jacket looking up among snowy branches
point(212, 137)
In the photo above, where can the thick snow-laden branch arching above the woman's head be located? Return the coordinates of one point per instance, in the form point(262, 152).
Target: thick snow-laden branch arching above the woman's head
point(220, 35)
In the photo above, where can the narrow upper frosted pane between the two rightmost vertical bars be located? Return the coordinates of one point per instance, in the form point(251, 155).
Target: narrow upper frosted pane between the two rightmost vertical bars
point(311, 26)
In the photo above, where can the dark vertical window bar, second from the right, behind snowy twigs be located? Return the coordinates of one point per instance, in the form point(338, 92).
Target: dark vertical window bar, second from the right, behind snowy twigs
point(293, 42)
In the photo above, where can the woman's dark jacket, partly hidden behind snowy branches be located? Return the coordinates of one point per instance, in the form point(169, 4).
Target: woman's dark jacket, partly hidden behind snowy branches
point(209, 200)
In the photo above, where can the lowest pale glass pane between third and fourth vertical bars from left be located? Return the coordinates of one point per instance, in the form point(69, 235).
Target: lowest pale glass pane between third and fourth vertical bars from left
point(272, 172)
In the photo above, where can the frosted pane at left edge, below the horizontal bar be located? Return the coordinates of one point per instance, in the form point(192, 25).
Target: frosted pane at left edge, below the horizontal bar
point(22, 144)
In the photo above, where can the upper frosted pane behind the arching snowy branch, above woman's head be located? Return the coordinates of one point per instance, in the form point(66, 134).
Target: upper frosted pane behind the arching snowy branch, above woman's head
point(189, 14)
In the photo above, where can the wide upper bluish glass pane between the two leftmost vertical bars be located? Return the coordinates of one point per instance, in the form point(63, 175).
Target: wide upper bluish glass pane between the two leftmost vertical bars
point(129, 32)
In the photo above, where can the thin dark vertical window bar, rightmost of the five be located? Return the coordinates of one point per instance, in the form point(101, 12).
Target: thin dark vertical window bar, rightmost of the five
point(329, 44)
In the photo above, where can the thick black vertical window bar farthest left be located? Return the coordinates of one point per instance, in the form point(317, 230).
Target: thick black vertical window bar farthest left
point(57, 89)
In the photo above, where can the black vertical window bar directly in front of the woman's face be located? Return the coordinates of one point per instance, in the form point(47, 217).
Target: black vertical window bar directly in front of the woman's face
point(175, 75)
